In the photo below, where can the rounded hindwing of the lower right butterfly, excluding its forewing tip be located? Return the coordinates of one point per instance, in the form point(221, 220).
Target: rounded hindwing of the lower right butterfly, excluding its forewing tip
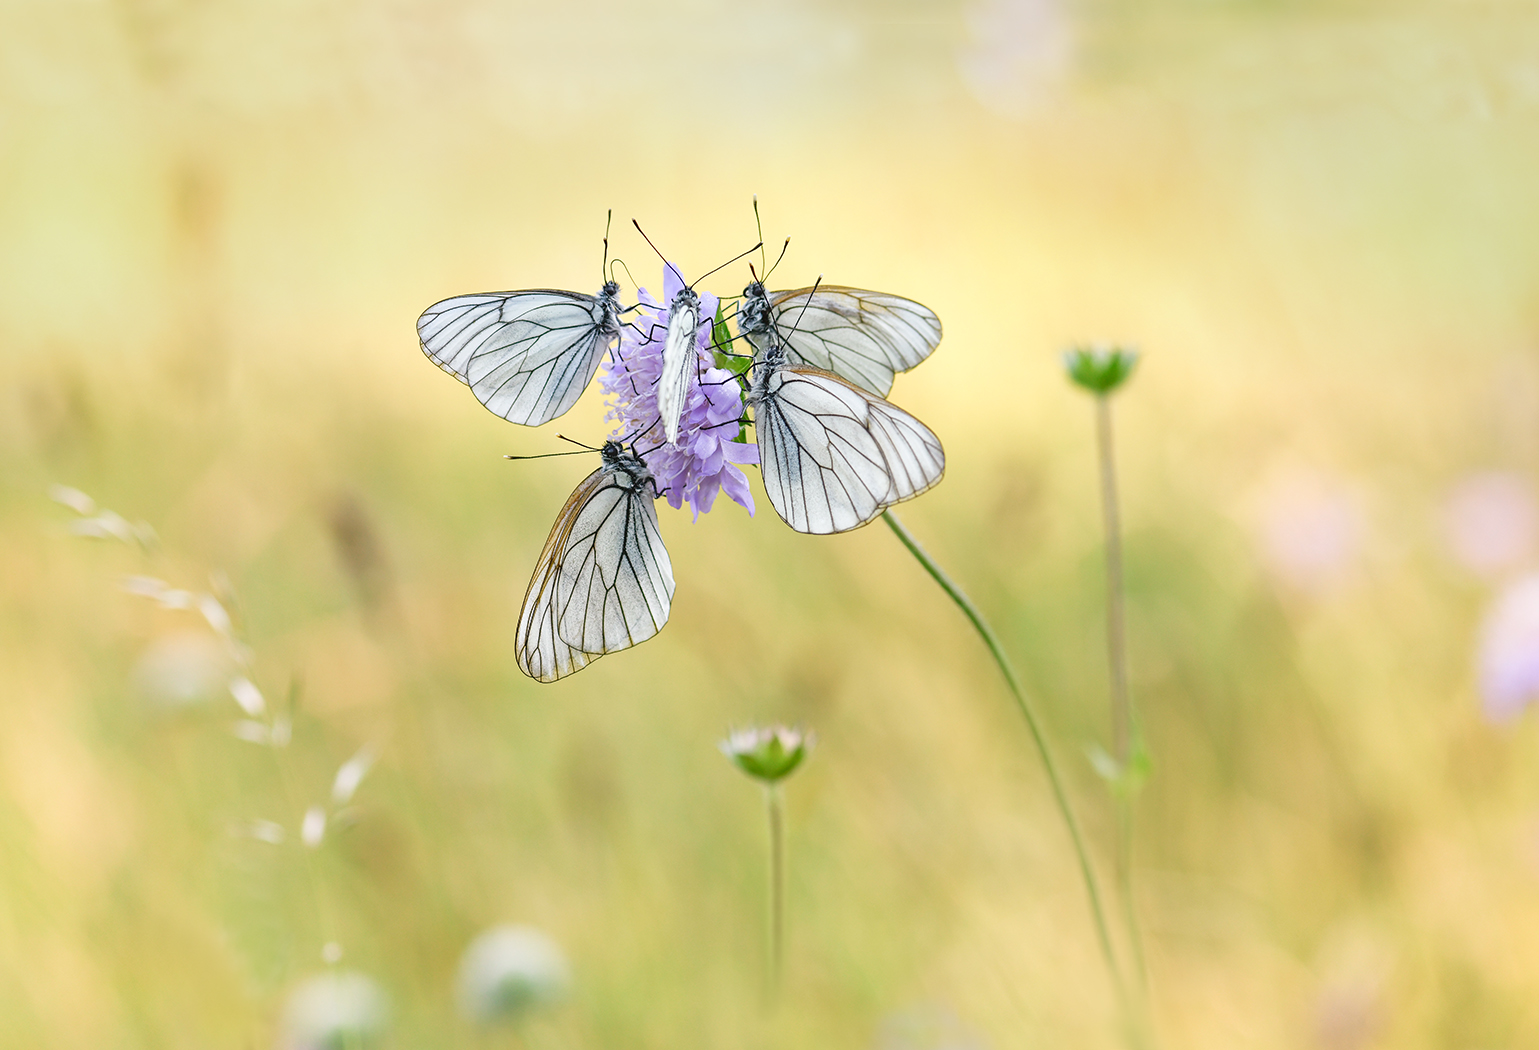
point(823, 466)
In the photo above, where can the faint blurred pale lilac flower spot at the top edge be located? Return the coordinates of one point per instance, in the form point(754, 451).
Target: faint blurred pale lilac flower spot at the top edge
point(1018, 55)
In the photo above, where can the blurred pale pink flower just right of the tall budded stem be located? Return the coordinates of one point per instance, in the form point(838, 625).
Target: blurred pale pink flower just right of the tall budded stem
point(1310, 529)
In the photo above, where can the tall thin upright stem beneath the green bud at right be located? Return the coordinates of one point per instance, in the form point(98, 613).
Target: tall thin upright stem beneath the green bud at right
point(1123, 721)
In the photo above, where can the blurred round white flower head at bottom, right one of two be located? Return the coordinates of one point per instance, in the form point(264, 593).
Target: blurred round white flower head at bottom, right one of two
point(510, 971)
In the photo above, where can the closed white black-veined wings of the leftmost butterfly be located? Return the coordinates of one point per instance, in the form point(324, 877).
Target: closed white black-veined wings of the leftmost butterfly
point(526, 355)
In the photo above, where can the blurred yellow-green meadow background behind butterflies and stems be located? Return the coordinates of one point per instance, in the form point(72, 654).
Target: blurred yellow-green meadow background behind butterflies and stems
point(219, 221)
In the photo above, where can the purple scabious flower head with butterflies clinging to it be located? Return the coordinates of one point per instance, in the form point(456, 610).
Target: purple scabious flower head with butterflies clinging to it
point(707, 456)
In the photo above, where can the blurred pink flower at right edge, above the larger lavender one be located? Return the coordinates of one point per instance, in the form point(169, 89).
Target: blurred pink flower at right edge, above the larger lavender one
point(1492, 520)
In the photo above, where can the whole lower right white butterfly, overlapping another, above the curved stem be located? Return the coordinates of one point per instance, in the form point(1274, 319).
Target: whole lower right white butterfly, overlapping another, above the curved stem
point(832, 455)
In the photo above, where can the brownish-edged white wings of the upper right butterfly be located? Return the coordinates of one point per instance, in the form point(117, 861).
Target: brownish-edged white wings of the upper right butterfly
point(863, 336)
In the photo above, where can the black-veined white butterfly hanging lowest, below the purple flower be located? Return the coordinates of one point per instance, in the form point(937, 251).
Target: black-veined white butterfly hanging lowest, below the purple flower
point(604, 581)
